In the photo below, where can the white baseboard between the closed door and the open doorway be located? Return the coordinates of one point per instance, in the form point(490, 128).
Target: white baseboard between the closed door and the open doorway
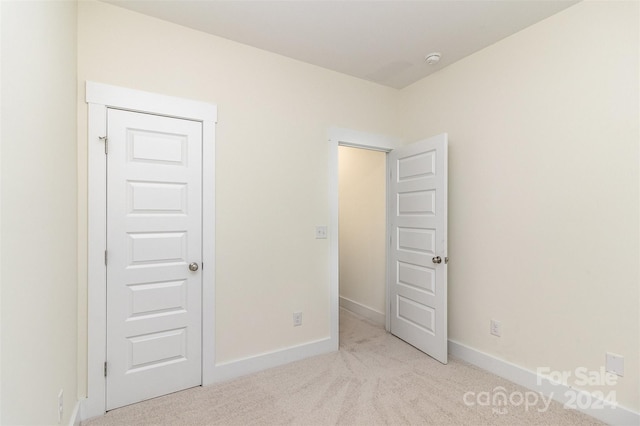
point(238, 368)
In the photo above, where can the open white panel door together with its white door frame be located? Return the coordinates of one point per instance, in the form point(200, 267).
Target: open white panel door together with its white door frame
point(416, 261)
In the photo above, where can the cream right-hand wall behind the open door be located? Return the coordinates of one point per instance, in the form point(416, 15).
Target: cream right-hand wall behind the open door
point(543, 190)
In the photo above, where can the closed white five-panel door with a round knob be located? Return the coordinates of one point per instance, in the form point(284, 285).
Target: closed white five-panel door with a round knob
point(154, 216)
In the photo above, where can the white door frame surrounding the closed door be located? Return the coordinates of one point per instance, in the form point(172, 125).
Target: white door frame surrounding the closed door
point(99, 98)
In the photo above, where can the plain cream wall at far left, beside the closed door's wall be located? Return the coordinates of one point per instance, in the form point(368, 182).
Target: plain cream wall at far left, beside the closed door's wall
point(38, 201)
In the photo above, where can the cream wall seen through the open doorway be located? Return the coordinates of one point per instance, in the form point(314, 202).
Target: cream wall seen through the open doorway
point(362, 217)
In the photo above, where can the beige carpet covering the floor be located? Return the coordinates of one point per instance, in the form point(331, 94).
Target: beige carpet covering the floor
point(375, 378)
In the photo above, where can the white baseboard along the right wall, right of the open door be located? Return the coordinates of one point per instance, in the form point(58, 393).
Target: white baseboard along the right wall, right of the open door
point(600, 409)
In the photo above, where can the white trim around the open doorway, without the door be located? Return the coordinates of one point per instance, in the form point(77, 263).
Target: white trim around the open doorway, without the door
point(356, 139)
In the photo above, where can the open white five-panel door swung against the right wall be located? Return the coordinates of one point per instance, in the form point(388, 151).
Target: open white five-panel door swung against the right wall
point(418, 228)
